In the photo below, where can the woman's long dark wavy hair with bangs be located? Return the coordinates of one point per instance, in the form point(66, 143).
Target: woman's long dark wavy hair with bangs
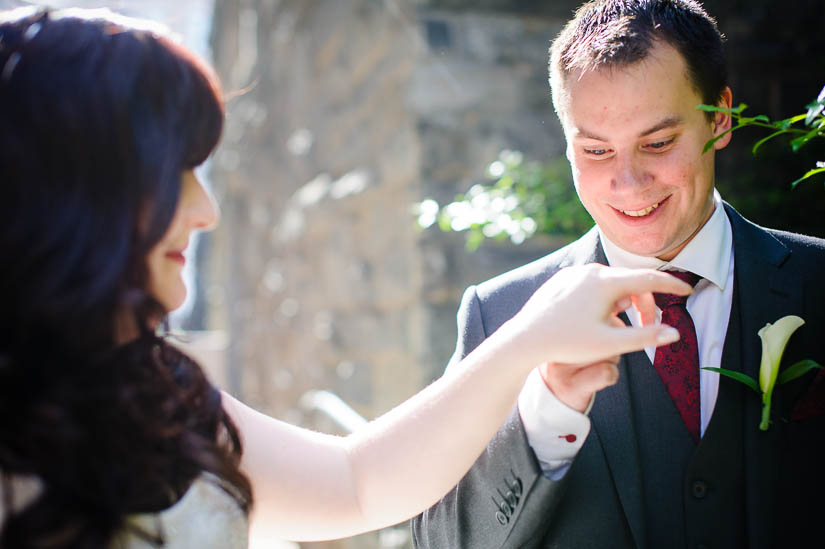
point(97, 123)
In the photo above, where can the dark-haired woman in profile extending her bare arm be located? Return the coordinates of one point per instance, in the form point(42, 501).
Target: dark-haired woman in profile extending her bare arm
point(109, 436)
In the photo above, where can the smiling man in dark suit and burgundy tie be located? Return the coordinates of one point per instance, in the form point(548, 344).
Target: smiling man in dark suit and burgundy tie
point(649, 450)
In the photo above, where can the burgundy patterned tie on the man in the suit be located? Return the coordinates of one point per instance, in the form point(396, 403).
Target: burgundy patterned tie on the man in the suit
point(678, 363)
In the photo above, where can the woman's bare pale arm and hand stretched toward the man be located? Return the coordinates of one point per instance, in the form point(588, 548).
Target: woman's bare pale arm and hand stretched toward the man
point(310, 486)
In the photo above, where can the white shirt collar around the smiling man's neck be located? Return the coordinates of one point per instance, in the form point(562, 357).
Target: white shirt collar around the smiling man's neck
point(707, 254)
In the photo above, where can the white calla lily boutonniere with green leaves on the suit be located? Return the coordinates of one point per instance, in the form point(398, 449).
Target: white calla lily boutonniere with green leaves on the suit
point(774, 339)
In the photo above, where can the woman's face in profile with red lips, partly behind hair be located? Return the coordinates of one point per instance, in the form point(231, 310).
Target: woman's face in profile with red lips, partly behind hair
point(196, 211)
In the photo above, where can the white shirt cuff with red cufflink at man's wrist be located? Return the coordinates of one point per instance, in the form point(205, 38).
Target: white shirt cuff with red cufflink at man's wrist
point(554, 431)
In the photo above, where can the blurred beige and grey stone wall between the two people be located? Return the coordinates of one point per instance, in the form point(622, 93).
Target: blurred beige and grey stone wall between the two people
point(351, 112)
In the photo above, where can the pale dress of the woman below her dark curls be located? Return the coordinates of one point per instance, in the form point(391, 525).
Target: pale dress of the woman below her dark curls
point(207, 516)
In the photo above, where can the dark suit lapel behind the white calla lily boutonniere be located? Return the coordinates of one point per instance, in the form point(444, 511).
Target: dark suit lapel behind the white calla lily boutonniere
point(765, 294)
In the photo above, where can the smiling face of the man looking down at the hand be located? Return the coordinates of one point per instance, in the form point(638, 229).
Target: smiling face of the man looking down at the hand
point(634, 140)
